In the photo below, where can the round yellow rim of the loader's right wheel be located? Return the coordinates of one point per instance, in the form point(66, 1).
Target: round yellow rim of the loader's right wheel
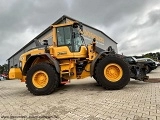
point(113, 72)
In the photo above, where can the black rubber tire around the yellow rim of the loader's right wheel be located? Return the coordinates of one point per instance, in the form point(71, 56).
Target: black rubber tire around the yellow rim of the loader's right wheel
point(106, 83)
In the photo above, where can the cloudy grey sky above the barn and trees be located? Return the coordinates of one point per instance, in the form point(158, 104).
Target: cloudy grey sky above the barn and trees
point(133, 24)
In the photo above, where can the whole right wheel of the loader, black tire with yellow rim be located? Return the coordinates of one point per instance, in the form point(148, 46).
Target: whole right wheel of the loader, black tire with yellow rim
point(112, 73)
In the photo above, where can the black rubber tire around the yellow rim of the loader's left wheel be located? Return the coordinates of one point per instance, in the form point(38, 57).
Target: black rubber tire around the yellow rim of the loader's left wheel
point(52, 83)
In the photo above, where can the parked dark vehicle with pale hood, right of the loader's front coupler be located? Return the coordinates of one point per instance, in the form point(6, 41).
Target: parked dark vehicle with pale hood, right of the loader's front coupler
point(150, 64)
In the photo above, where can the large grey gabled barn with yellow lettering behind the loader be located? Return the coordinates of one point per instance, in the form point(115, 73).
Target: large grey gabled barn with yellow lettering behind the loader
point(103, 41)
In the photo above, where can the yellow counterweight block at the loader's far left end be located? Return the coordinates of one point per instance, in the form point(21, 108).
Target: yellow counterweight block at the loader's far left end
point(15, 73)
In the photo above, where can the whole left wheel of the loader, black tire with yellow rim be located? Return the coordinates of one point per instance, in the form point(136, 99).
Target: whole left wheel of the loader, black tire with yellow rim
point(42, 79)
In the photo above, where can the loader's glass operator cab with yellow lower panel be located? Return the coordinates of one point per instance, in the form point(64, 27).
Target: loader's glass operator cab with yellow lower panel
point(70, 36)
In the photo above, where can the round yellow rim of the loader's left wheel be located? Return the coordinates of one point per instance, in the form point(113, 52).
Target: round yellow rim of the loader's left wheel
point(40, 79)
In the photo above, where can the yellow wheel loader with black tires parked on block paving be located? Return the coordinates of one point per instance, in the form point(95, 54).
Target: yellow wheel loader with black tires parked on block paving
point(46, 67)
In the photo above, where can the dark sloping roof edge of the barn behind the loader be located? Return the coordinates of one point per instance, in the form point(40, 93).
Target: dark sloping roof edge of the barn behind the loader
point(49, 28)
